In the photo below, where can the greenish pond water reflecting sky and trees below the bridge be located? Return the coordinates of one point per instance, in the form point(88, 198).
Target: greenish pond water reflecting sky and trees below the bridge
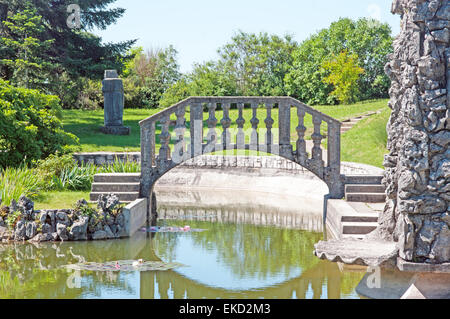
point(229, 260)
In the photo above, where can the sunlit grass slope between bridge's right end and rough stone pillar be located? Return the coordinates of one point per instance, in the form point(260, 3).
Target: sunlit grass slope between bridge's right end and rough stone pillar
point(366, 141)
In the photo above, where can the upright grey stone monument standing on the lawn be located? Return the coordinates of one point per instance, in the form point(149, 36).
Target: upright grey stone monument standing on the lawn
point(114, 103)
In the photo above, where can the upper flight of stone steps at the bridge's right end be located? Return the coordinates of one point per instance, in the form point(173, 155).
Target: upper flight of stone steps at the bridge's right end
point(364, 188)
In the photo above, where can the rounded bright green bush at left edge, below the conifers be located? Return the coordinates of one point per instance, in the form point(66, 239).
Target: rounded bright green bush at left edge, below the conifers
point(30, 126)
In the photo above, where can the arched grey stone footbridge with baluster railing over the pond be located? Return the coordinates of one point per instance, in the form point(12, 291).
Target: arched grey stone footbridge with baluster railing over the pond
point(171, 126)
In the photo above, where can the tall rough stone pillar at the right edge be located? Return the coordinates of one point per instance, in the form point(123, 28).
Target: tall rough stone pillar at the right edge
point(418, 165)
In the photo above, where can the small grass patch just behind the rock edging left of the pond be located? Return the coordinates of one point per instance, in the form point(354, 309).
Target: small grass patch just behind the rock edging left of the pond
point(59, 200)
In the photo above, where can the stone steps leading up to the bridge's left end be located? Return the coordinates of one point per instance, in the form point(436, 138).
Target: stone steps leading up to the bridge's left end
point(125, 186)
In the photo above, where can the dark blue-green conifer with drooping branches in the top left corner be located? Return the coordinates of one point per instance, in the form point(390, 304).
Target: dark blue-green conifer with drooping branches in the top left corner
point(74, 53)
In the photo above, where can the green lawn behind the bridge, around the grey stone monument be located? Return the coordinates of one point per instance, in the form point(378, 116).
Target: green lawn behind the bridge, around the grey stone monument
point(86, 124)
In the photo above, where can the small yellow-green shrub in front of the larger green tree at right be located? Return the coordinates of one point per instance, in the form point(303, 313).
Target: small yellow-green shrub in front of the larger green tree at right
point(344, 74)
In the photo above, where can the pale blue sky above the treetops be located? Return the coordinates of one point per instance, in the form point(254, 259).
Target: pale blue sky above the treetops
point(198, 28)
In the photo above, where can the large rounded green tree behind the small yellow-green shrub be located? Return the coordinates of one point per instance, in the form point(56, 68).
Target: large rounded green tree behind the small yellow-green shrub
point(370, 41)
